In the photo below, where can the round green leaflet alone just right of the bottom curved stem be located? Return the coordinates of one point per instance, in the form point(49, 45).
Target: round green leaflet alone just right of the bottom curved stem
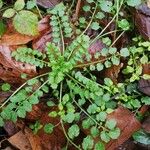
point(73, 131)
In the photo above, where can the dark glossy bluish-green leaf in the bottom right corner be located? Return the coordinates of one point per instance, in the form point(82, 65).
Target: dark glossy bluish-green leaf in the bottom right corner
point(142, 137)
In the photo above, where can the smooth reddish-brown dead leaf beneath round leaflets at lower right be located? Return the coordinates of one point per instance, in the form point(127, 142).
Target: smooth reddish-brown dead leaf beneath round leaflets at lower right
point(128, 124)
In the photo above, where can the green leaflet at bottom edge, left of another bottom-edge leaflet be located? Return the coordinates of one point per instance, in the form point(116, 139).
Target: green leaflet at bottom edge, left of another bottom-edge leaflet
point(88, 143)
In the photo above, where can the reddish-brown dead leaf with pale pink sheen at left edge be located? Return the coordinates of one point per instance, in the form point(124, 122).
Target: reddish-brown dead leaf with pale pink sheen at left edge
point(11, 70)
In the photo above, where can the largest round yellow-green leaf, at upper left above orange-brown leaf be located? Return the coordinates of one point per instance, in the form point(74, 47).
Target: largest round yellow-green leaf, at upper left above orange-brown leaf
point(26, 22)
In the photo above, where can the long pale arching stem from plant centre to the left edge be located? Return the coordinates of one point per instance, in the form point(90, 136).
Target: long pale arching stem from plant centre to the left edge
point(21, 88)
